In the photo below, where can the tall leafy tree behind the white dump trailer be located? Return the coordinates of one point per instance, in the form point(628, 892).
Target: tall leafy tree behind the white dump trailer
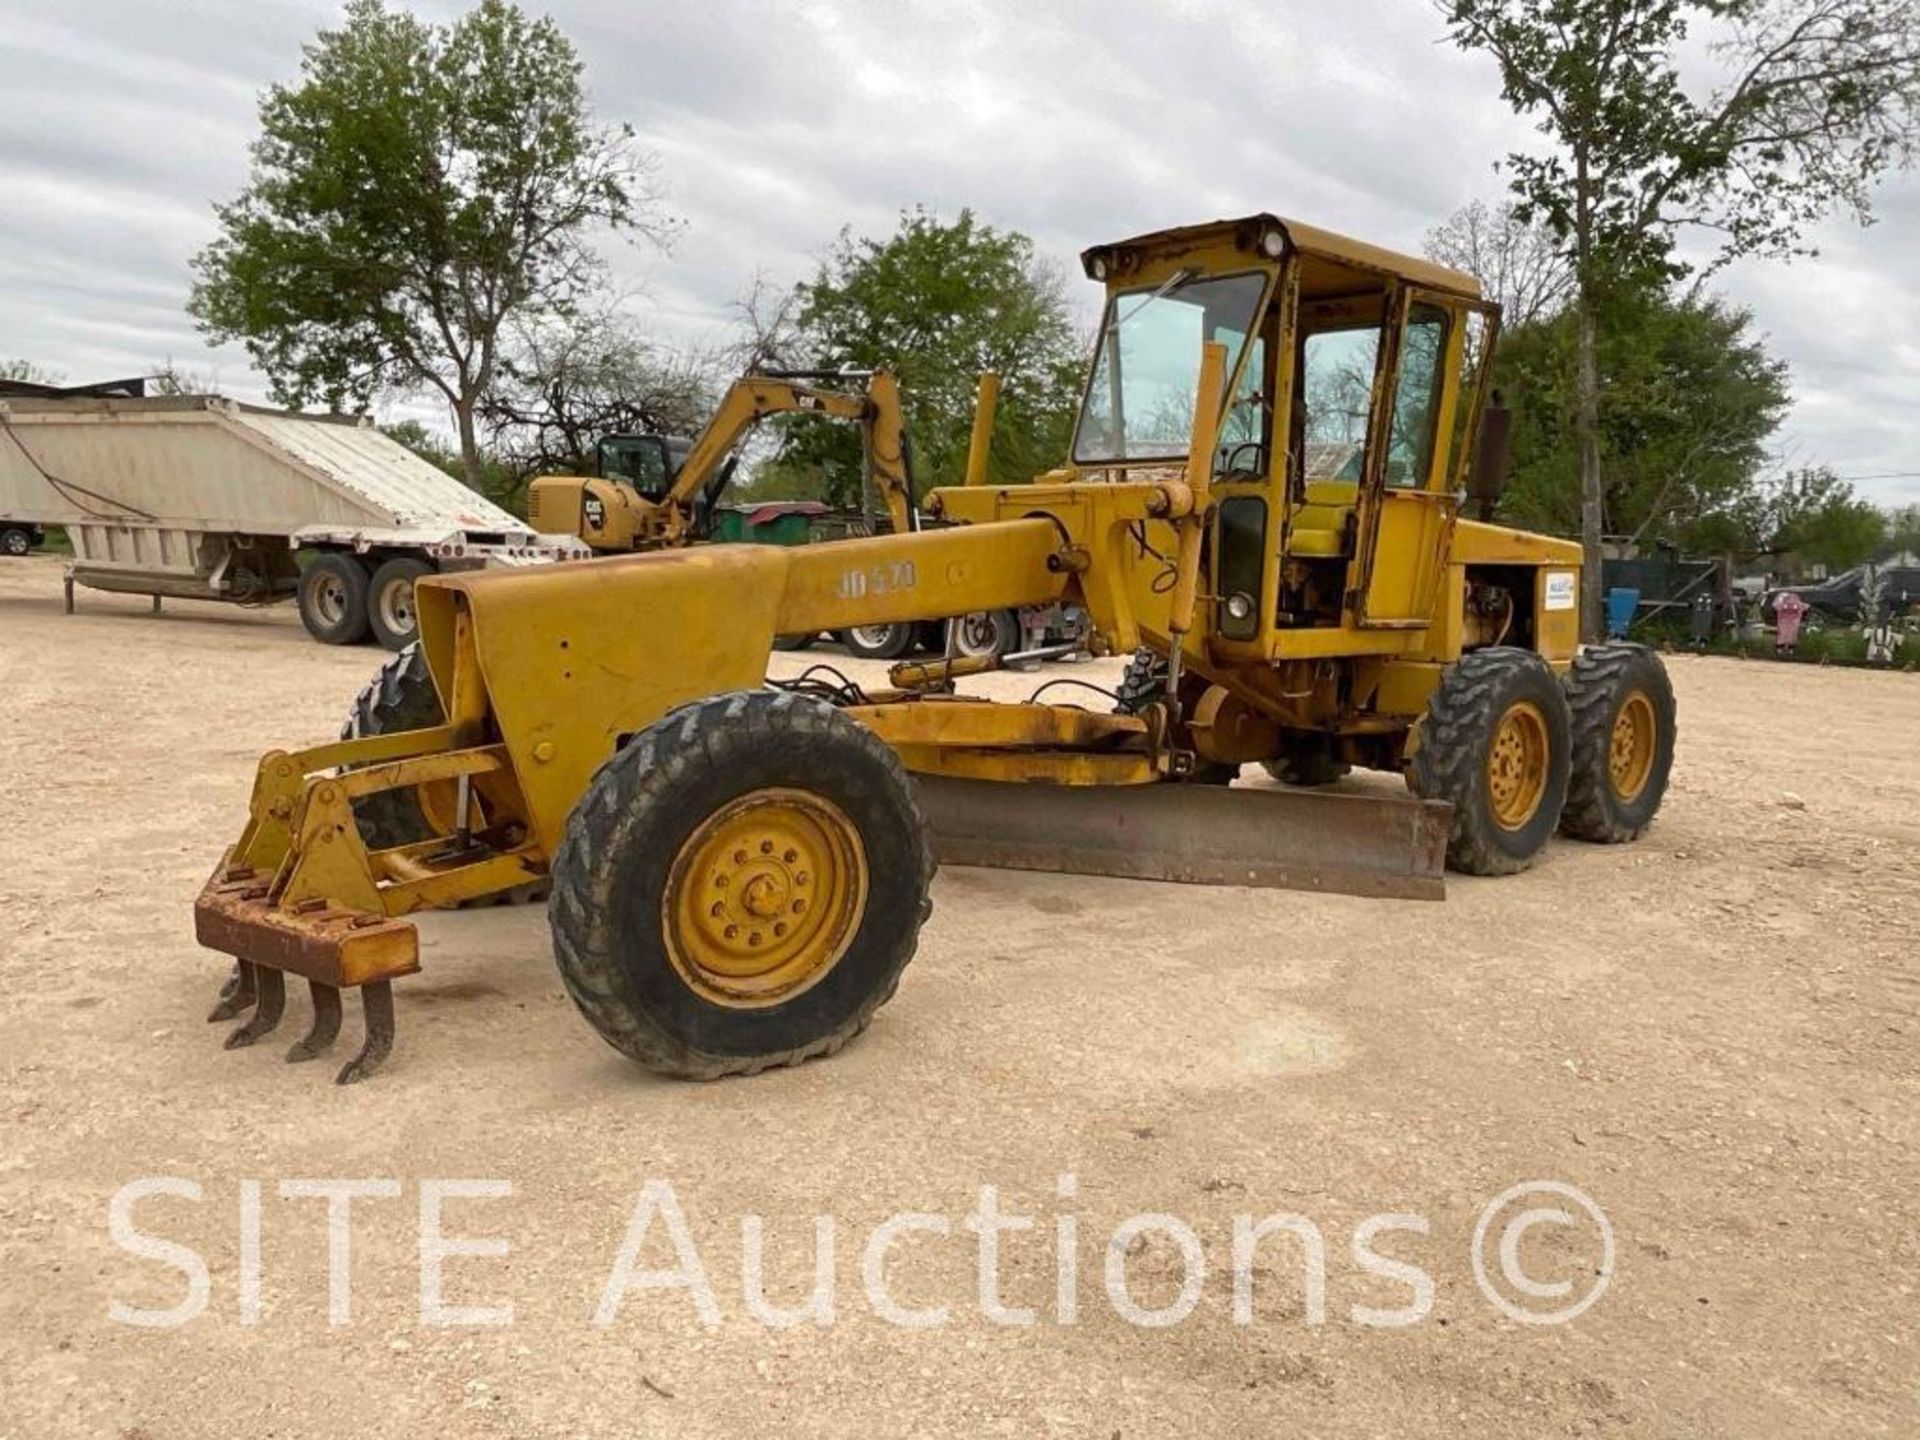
point(418, 189)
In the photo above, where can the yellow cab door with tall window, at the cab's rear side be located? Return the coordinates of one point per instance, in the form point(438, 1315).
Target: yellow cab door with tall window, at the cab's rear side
point(1406, 498)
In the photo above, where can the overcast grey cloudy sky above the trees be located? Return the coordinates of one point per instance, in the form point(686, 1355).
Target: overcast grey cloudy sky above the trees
point(780, 122)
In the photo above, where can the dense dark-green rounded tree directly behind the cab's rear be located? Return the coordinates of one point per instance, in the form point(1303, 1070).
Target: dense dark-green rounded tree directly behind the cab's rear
point(1689, 402)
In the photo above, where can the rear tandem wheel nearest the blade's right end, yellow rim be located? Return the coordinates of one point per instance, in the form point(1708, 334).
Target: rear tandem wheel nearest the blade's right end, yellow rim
point(1497, 748)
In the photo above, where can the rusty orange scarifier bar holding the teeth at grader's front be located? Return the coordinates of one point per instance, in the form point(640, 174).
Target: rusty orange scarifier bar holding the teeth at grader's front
point(329, 946)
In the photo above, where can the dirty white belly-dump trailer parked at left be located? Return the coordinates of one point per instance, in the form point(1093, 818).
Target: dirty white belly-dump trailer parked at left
point(204, 498)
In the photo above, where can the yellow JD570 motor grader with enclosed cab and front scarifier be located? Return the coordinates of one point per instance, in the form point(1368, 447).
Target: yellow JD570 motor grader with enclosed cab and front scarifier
point(1262, 504)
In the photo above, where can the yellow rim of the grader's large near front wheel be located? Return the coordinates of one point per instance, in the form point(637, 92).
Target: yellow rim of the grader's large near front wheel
point(765, 898)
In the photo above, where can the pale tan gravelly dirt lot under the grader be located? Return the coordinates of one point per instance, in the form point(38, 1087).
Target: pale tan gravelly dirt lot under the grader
point(1712, 1034)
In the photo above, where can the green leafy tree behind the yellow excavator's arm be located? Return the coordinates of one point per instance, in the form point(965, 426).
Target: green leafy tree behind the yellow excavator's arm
point(940, 302)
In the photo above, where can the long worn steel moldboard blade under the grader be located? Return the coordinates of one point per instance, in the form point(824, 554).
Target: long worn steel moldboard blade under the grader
point(1383, 848)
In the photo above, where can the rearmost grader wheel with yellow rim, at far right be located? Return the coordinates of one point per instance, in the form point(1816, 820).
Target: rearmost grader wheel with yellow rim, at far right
point(1623, 742)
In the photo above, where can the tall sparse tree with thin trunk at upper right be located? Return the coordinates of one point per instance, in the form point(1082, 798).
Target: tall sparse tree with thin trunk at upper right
point(1819, 101)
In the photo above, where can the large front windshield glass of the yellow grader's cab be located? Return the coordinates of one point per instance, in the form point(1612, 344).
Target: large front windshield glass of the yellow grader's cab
point(1147, 370)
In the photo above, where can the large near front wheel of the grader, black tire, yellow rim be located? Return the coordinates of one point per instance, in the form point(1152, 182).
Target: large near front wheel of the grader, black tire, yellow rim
point(654, 905)
